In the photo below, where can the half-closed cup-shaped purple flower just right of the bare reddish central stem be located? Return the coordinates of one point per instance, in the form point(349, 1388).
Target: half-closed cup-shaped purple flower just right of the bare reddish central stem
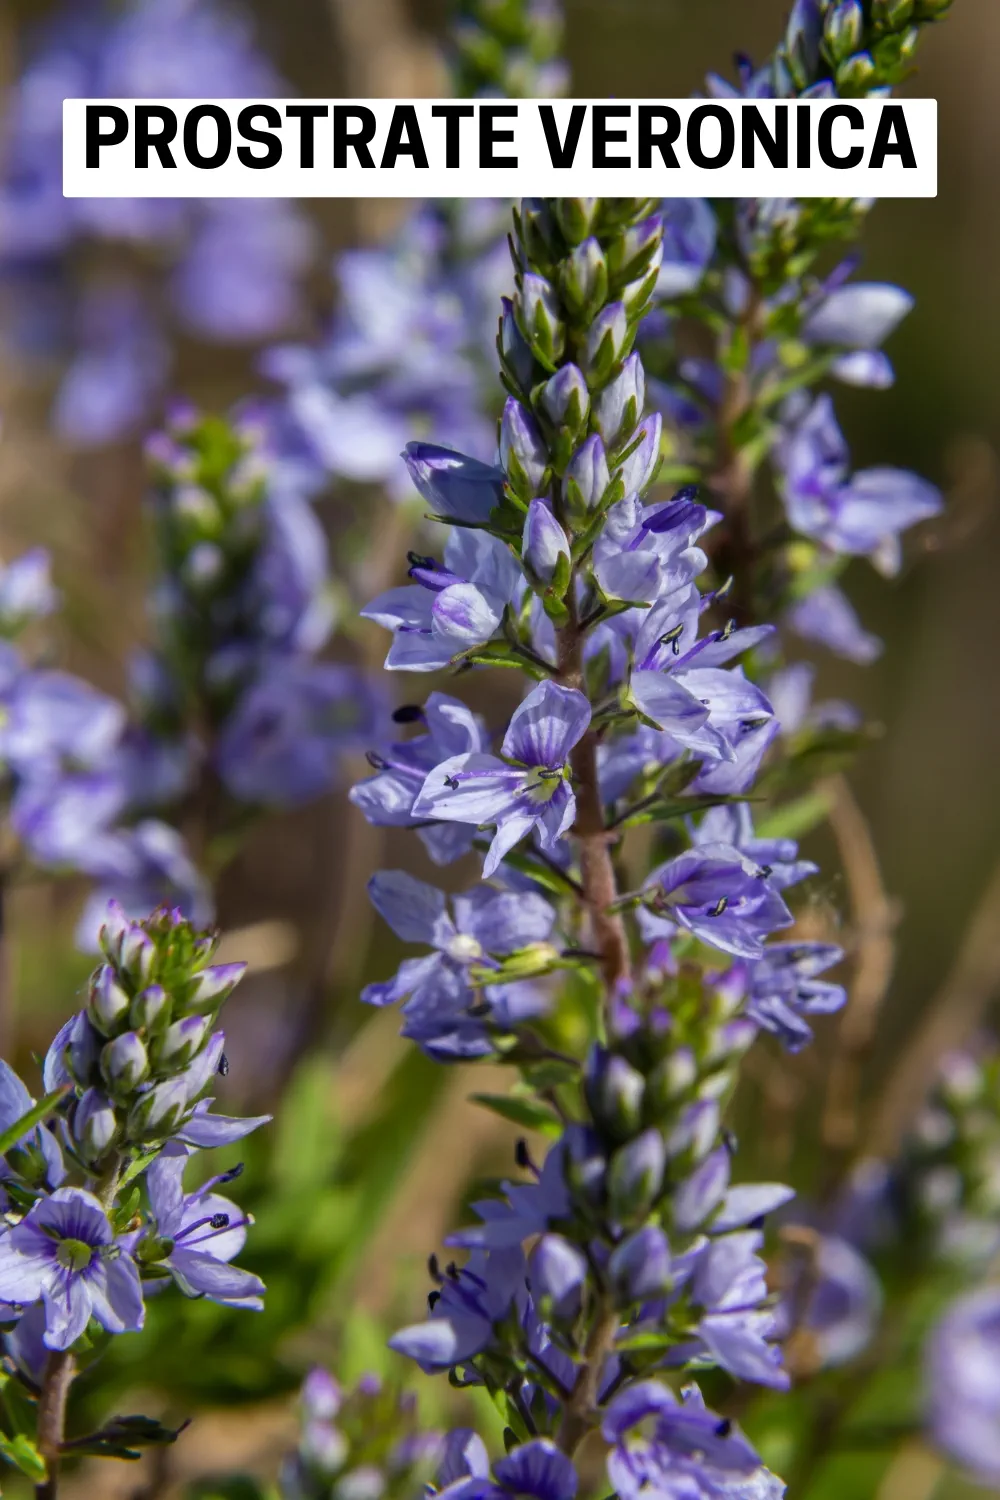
point(720, 896)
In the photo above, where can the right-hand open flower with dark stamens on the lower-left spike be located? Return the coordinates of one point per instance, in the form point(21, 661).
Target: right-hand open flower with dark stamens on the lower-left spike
point(200, 1232)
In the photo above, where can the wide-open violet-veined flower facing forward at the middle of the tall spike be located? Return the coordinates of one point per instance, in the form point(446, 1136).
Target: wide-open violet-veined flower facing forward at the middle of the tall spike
point(524, 791)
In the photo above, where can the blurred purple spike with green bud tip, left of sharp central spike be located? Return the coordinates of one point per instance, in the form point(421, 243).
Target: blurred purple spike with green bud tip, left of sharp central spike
point(242, 608)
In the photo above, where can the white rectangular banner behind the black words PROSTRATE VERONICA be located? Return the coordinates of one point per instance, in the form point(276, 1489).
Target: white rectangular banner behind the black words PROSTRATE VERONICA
point(534, 176)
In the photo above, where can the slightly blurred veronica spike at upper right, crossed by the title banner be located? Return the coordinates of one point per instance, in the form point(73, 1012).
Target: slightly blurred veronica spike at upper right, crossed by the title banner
point(749, 274)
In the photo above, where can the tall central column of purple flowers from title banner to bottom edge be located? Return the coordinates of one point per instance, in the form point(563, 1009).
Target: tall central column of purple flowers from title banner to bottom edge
point(626, 1010)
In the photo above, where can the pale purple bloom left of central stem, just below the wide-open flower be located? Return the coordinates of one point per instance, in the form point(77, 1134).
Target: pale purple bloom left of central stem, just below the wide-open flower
point(442, 1009)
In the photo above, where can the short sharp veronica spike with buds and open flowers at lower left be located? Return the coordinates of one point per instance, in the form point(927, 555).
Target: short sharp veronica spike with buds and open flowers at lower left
point(101, 1210)
